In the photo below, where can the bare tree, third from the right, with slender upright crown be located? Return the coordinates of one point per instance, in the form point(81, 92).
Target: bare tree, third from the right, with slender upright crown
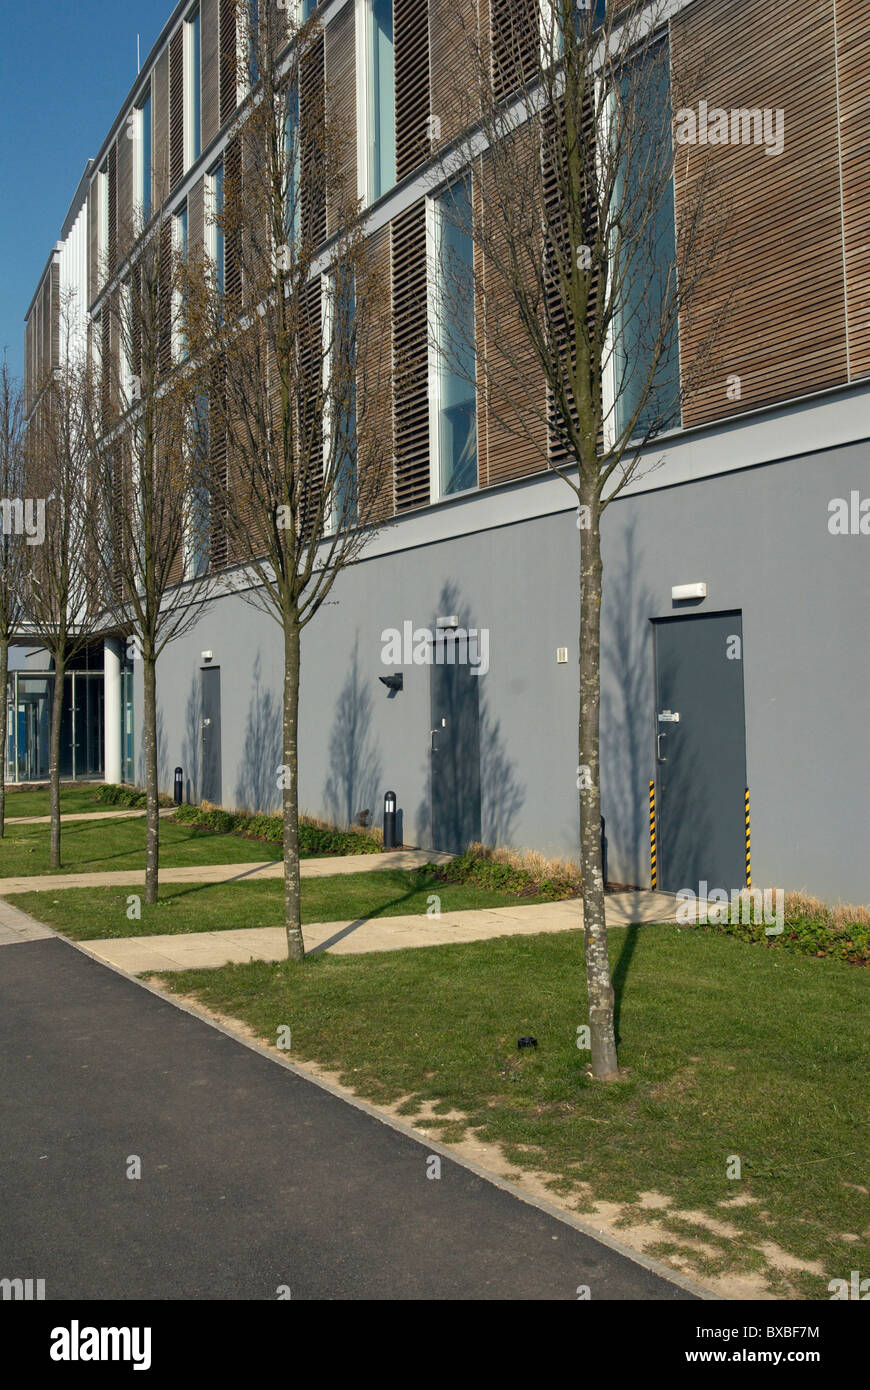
point(147, 434)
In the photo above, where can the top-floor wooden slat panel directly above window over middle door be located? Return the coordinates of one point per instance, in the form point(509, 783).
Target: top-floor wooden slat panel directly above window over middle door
point(452, 65)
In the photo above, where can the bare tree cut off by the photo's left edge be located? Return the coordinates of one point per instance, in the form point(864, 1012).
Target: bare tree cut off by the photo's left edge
point(13, 543)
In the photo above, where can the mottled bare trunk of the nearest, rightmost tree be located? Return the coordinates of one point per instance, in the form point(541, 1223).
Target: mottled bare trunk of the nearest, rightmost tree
point(605, 1065)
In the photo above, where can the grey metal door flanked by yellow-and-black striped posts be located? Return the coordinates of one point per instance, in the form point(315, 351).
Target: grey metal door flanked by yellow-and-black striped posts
point(701, 751)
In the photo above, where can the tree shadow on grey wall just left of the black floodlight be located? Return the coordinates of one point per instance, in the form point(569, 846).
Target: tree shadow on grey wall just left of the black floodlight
point(354, 783)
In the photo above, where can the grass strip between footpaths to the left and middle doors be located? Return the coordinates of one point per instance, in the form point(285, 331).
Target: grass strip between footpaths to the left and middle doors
point(90, 847)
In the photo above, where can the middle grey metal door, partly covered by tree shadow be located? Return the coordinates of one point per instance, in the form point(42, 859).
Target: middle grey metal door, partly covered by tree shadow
point(455, 751)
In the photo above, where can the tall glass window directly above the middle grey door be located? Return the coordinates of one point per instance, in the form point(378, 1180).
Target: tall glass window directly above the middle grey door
point(455, 395)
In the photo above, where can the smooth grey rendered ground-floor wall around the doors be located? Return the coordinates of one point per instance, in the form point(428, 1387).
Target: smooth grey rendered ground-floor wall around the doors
point(761, 541)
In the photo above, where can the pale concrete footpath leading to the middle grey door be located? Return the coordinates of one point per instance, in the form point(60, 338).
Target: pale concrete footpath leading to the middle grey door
point(226, 874)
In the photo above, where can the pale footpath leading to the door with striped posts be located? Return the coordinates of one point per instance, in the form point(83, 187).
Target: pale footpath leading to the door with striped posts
point(209, 950)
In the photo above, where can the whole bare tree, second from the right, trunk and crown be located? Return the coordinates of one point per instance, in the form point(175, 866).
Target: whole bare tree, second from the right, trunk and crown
point(294, 338)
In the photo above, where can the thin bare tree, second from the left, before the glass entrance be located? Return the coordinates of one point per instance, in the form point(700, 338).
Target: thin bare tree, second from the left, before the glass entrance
point(59, 590)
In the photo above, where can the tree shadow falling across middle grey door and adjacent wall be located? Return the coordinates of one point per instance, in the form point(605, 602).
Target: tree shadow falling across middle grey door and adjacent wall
point(491, 783)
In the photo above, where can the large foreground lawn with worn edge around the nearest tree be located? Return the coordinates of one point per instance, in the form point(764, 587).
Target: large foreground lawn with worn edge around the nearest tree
point(730, 1050)
